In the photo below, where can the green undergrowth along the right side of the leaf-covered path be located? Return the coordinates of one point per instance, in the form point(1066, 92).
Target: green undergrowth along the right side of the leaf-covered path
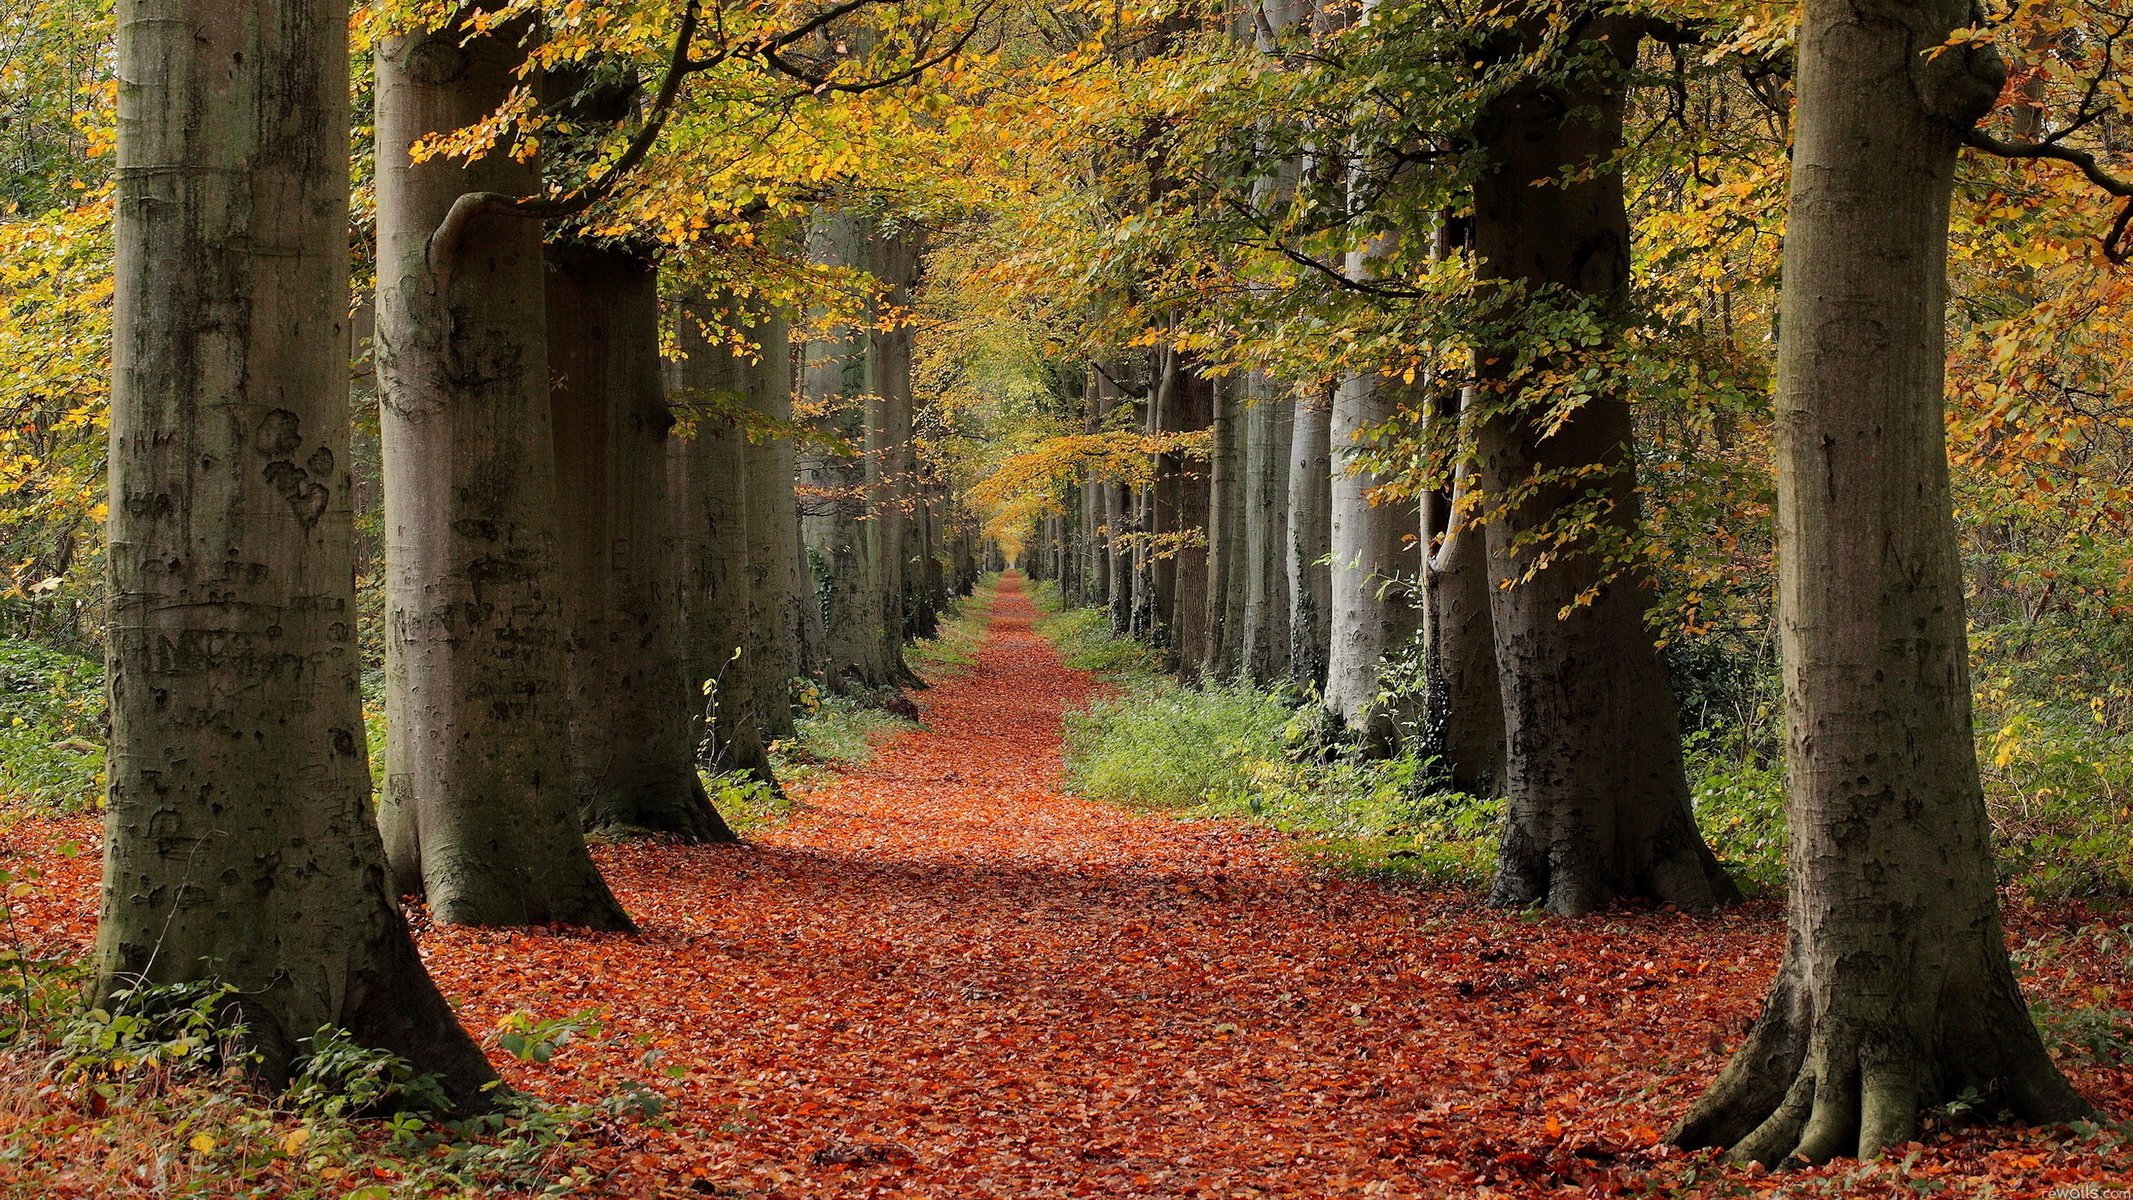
point(2059, 790)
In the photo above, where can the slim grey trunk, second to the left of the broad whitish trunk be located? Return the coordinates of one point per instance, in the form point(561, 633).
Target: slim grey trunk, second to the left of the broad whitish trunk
point(1264, 647)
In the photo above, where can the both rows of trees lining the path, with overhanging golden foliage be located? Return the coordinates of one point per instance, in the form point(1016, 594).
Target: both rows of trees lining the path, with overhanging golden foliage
point(1349, 314)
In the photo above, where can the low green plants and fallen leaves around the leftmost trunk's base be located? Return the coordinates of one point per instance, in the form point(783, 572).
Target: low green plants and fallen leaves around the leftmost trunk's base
point(150, 1099)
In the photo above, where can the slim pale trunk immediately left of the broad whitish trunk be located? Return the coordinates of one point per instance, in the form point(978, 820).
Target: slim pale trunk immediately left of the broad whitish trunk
point(1311, 540)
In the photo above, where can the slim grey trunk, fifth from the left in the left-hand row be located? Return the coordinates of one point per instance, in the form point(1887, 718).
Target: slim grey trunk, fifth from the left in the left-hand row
point(777, 591)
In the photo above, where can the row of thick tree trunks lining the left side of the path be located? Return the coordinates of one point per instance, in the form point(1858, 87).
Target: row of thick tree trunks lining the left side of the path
point(605, 572)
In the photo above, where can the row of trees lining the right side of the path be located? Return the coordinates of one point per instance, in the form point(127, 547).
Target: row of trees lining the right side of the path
point(1469, 487)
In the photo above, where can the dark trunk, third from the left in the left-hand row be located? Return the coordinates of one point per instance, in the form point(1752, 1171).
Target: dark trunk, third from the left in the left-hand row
point(630, 753)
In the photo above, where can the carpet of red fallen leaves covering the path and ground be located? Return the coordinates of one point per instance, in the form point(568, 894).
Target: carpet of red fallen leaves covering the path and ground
point(948, 979)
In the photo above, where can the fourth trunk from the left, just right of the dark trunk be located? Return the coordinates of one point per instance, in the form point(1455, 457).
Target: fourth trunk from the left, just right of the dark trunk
point(711, 383)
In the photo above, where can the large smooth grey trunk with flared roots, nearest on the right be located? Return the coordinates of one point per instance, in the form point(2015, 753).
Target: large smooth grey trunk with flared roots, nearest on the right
point(1895, 992)
